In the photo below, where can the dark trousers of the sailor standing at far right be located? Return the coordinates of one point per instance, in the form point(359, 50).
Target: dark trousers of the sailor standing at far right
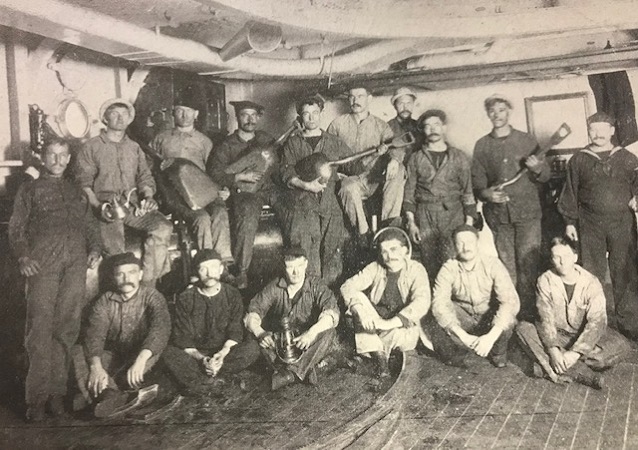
point(615, 234)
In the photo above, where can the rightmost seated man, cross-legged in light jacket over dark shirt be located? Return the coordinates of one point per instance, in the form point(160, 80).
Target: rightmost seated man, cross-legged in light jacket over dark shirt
point(572, 337)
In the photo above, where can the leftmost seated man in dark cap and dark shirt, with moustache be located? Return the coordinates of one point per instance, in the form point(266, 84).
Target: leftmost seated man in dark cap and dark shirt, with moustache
point(126, 334)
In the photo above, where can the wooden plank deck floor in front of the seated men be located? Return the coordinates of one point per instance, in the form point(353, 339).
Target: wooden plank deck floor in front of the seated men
point(429, 406)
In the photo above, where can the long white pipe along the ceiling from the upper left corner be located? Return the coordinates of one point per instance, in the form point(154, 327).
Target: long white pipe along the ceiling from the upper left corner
point(49, 16)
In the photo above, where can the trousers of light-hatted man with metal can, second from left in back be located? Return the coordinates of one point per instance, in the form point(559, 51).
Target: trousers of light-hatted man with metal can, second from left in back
point(155, 260)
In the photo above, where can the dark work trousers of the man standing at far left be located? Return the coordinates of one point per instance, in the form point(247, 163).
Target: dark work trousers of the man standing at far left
point(55, 299)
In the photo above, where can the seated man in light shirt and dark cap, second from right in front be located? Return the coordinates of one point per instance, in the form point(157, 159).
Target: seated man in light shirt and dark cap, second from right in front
point(474, 304)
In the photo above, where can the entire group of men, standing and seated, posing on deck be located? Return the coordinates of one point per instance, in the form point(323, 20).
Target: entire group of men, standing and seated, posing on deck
point(59, 228)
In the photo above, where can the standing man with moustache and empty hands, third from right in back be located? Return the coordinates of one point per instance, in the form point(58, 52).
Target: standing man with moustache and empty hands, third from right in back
point(438, 193)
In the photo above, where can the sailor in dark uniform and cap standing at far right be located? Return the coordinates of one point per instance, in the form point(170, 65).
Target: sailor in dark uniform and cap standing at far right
point(596, 203)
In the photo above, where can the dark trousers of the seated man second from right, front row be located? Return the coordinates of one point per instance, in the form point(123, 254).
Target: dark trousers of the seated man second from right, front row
point(450, 349)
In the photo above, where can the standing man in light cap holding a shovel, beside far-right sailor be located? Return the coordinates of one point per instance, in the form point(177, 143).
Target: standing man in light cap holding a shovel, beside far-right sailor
point(514, 213)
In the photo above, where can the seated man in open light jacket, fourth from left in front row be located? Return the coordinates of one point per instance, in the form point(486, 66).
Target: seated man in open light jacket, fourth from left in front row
point(398, 297)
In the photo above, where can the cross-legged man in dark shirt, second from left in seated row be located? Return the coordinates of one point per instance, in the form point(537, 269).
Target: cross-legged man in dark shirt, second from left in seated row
point(207, 329)
